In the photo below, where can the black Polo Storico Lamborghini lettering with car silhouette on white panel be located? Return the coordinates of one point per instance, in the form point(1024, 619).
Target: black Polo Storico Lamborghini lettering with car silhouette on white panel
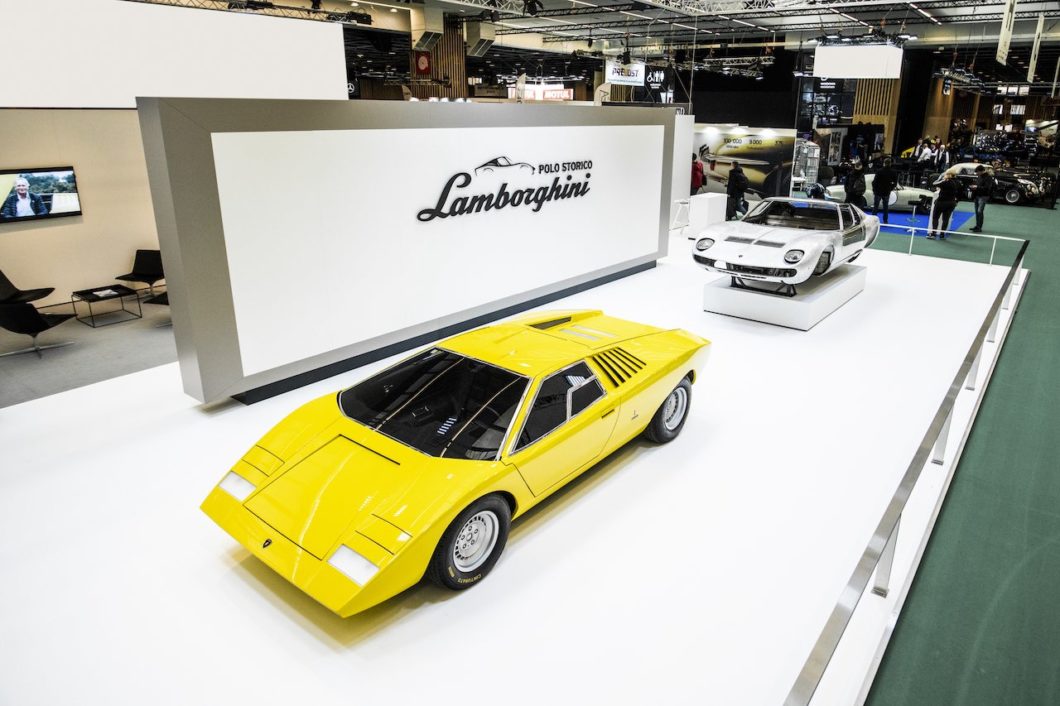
point(521, 186)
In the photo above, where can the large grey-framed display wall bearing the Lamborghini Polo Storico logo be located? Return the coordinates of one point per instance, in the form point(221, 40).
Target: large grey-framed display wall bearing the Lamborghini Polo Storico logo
point(309, 243)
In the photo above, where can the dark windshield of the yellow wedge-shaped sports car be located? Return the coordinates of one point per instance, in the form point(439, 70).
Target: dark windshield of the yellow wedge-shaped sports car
point(440, 403)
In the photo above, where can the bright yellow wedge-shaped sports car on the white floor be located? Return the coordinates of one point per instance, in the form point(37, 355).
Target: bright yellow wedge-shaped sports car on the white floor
point(419, 470)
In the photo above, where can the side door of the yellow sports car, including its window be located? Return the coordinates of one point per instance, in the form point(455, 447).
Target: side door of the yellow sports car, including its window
point(566, 430)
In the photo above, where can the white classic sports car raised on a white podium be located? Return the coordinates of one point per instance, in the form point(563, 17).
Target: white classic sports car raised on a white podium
point(786, 241)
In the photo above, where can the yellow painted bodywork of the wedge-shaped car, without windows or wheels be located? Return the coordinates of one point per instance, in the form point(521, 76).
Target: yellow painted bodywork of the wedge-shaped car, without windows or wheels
point(324, 481)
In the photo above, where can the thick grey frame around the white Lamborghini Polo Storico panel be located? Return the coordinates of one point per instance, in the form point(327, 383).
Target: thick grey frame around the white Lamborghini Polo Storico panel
point(178, 137)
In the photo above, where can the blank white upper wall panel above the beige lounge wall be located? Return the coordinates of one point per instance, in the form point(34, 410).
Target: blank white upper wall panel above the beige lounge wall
point(105, 54)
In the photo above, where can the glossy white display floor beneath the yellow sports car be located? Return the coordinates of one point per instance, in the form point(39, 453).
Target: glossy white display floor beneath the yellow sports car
point(697, 573)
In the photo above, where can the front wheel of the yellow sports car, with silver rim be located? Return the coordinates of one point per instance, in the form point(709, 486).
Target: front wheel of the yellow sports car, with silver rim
point(472, 544)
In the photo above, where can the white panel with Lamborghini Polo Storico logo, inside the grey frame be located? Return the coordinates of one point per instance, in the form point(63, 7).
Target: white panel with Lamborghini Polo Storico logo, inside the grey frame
point(392, 228)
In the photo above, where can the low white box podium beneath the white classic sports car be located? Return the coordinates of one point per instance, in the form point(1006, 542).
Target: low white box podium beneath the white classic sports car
point(817, 299)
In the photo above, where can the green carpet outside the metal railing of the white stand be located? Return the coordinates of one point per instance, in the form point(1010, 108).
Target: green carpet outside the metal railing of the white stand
point(982, 625)
